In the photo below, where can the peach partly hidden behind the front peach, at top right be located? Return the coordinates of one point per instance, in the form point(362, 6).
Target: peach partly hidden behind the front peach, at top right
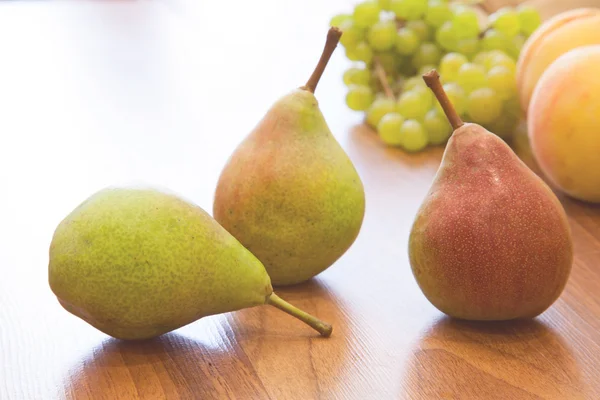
point(559, 34)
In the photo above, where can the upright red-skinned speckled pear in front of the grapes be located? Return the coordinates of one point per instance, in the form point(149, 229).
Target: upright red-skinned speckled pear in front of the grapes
point(491, 241)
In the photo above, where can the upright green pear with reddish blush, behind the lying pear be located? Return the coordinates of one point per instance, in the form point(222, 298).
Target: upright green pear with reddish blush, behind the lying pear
point(289, 193)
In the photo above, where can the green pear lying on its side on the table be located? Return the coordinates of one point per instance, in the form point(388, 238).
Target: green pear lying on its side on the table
point(137, 263)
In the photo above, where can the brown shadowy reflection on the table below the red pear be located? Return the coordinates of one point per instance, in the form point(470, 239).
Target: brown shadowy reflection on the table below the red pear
point(493, 360)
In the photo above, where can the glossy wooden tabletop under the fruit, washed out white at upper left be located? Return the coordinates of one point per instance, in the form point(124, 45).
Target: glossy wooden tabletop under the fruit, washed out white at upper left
point(93, 94)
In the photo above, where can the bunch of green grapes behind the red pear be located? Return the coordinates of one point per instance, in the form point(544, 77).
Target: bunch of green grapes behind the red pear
point(393, 42)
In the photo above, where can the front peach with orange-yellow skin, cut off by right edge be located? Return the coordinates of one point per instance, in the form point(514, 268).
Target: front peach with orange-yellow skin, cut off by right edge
point(564, 123)
